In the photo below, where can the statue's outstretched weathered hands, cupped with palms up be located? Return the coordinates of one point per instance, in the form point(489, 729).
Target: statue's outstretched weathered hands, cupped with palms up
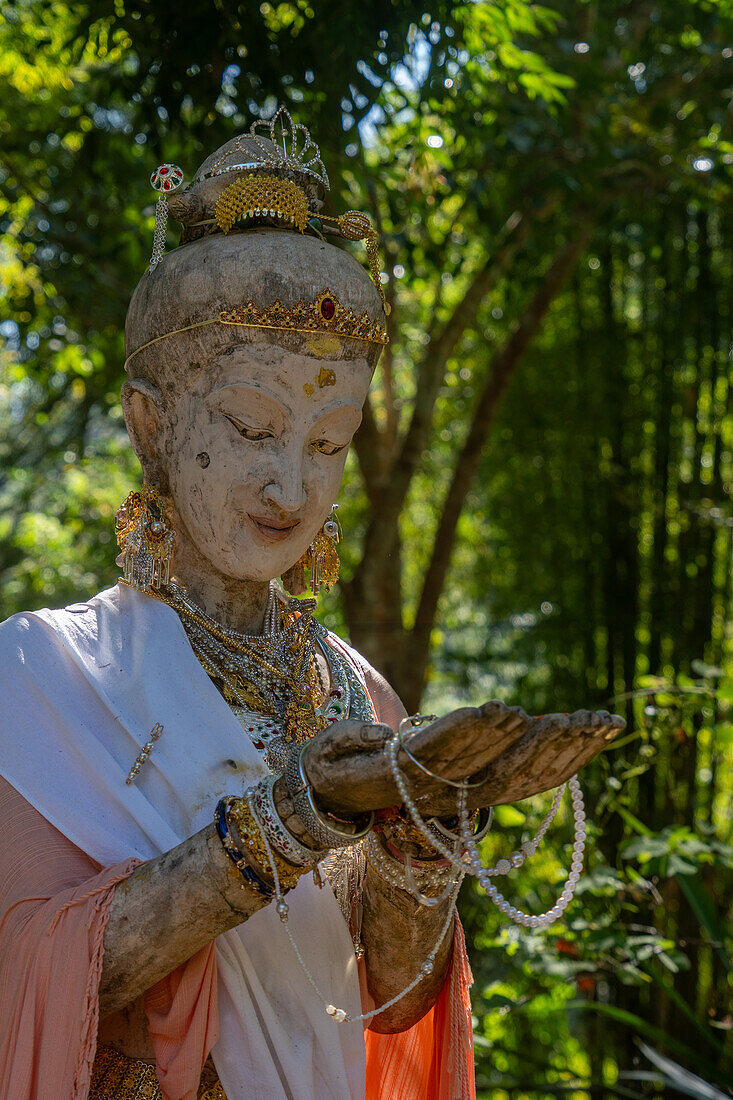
point(513, 754)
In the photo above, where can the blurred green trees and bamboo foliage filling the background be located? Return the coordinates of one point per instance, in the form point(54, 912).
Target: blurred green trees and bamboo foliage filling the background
point(592, 562)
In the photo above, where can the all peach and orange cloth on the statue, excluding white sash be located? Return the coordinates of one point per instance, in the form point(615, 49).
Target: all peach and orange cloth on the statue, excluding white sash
point(54, 906)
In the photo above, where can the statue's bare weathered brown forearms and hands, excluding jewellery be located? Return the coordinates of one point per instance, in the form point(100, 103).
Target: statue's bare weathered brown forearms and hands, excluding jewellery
point(173, 906)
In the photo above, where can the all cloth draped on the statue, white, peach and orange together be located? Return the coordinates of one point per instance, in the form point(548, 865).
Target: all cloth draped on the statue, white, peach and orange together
point(82, 689)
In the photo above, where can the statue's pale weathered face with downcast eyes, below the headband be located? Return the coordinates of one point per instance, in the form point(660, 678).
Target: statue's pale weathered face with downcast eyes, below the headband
point(260, 445)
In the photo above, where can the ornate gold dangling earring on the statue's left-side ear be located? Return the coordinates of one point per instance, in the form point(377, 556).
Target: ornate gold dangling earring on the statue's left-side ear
point(146, 540)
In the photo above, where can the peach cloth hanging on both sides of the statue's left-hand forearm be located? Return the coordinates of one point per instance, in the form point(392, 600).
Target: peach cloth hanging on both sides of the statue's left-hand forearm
point(54, 906)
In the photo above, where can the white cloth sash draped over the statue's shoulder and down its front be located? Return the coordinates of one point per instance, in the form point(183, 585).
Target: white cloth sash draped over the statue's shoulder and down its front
point(82, 688)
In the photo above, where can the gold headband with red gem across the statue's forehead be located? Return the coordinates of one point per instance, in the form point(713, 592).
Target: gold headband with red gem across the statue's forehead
point(325, 314)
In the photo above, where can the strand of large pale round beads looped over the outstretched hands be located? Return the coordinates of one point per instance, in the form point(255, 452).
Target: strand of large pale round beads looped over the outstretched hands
point(484, 875)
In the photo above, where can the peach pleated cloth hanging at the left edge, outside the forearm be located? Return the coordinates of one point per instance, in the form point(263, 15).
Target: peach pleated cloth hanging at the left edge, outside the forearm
point(51, 934)
